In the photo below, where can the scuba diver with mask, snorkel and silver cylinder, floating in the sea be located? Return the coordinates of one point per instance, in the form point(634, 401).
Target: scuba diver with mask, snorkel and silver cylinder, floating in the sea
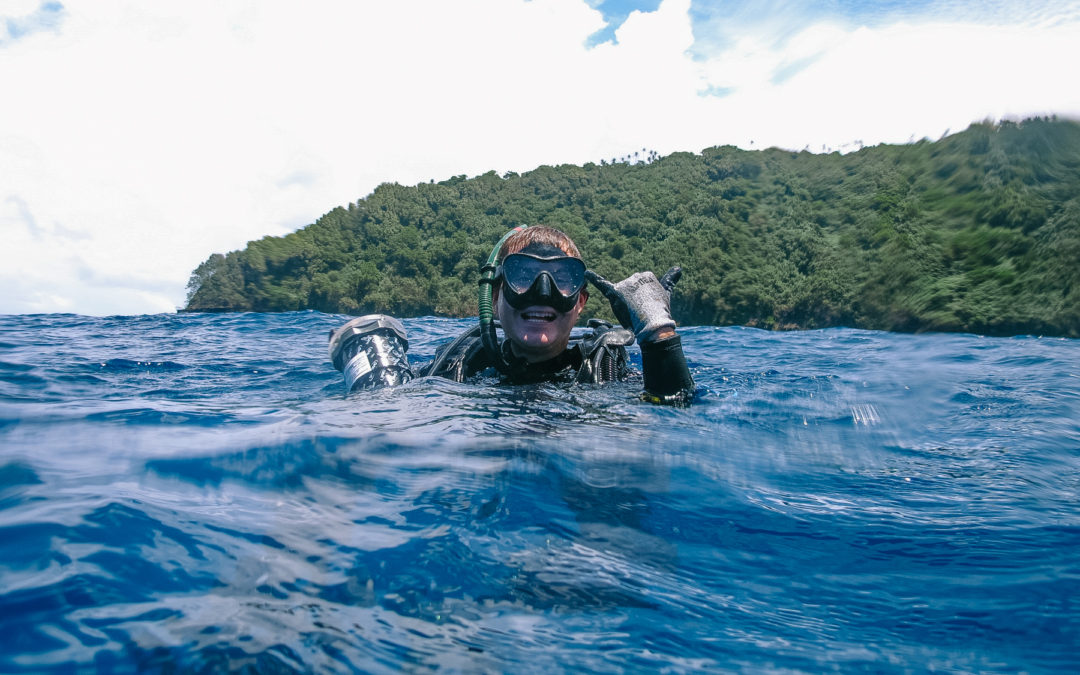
point(535, 283)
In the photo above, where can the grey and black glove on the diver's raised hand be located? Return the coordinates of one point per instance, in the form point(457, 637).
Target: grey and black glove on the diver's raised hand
point(641, 303)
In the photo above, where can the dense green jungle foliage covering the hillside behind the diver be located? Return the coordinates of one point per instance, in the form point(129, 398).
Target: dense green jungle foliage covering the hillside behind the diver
point(979, 232)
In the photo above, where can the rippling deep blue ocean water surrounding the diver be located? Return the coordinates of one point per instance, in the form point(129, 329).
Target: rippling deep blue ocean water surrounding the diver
point(195, 493)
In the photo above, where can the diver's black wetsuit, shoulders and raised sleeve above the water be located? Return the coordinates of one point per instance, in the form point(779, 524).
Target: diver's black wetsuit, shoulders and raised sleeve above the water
point(596, 358)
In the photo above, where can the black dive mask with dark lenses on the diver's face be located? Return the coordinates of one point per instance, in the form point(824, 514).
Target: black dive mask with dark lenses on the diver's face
point(553, 281)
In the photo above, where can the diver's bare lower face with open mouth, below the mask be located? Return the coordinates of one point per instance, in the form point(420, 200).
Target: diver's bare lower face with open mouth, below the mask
point(537, 333)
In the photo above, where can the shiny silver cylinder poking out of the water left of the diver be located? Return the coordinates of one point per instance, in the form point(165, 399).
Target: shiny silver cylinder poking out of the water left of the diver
point(371, 353)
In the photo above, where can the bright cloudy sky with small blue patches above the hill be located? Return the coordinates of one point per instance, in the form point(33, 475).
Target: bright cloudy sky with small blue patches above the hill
point(137, 139)
